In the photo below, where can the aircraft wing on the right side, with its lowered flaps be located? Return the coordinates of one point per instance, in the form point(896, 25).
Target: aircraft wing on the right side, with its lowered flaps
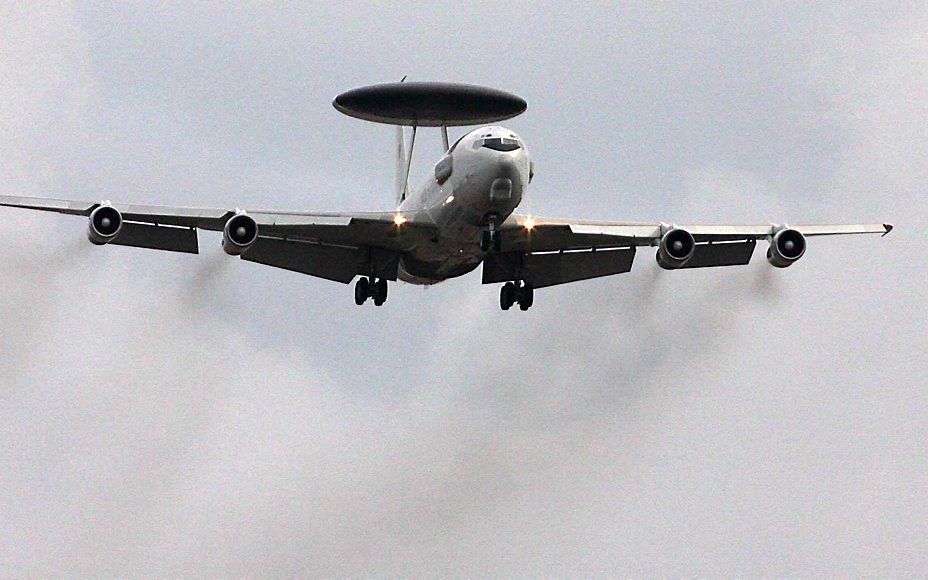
point(550, 251)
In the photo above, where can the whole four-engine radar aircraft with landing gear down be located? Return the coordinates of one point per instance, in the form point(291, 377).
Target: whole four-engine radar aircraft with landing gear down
point(463, 216)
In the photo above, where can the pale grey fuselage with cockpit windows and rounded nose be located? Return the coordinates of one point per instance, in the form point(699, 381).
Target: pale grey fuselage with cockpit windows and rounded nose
point(490, 168)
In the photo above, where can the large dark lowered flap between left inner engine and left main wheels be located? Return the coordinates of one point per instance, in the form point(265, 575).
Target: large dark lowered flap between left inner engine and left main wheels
point(337, 263)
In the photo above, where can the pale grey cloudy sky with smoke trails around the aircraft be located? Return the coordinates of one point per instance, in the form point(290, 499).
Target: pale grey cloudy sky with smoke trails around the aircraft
point(180, 415)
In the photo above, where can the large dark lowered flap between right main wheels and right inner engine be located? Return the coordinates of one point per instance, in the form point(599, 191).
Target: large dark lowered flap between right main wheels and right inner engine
point(542, 270)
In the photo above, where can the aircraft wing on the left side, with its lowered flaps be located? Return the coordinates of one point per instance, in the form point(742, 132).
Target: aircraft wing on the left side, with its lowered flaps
point(335, 246)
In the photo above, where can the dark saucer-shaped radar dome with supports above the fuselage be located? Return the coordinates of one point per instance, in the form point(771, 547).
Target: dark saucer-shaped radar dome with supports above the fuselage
point(423, 104)
